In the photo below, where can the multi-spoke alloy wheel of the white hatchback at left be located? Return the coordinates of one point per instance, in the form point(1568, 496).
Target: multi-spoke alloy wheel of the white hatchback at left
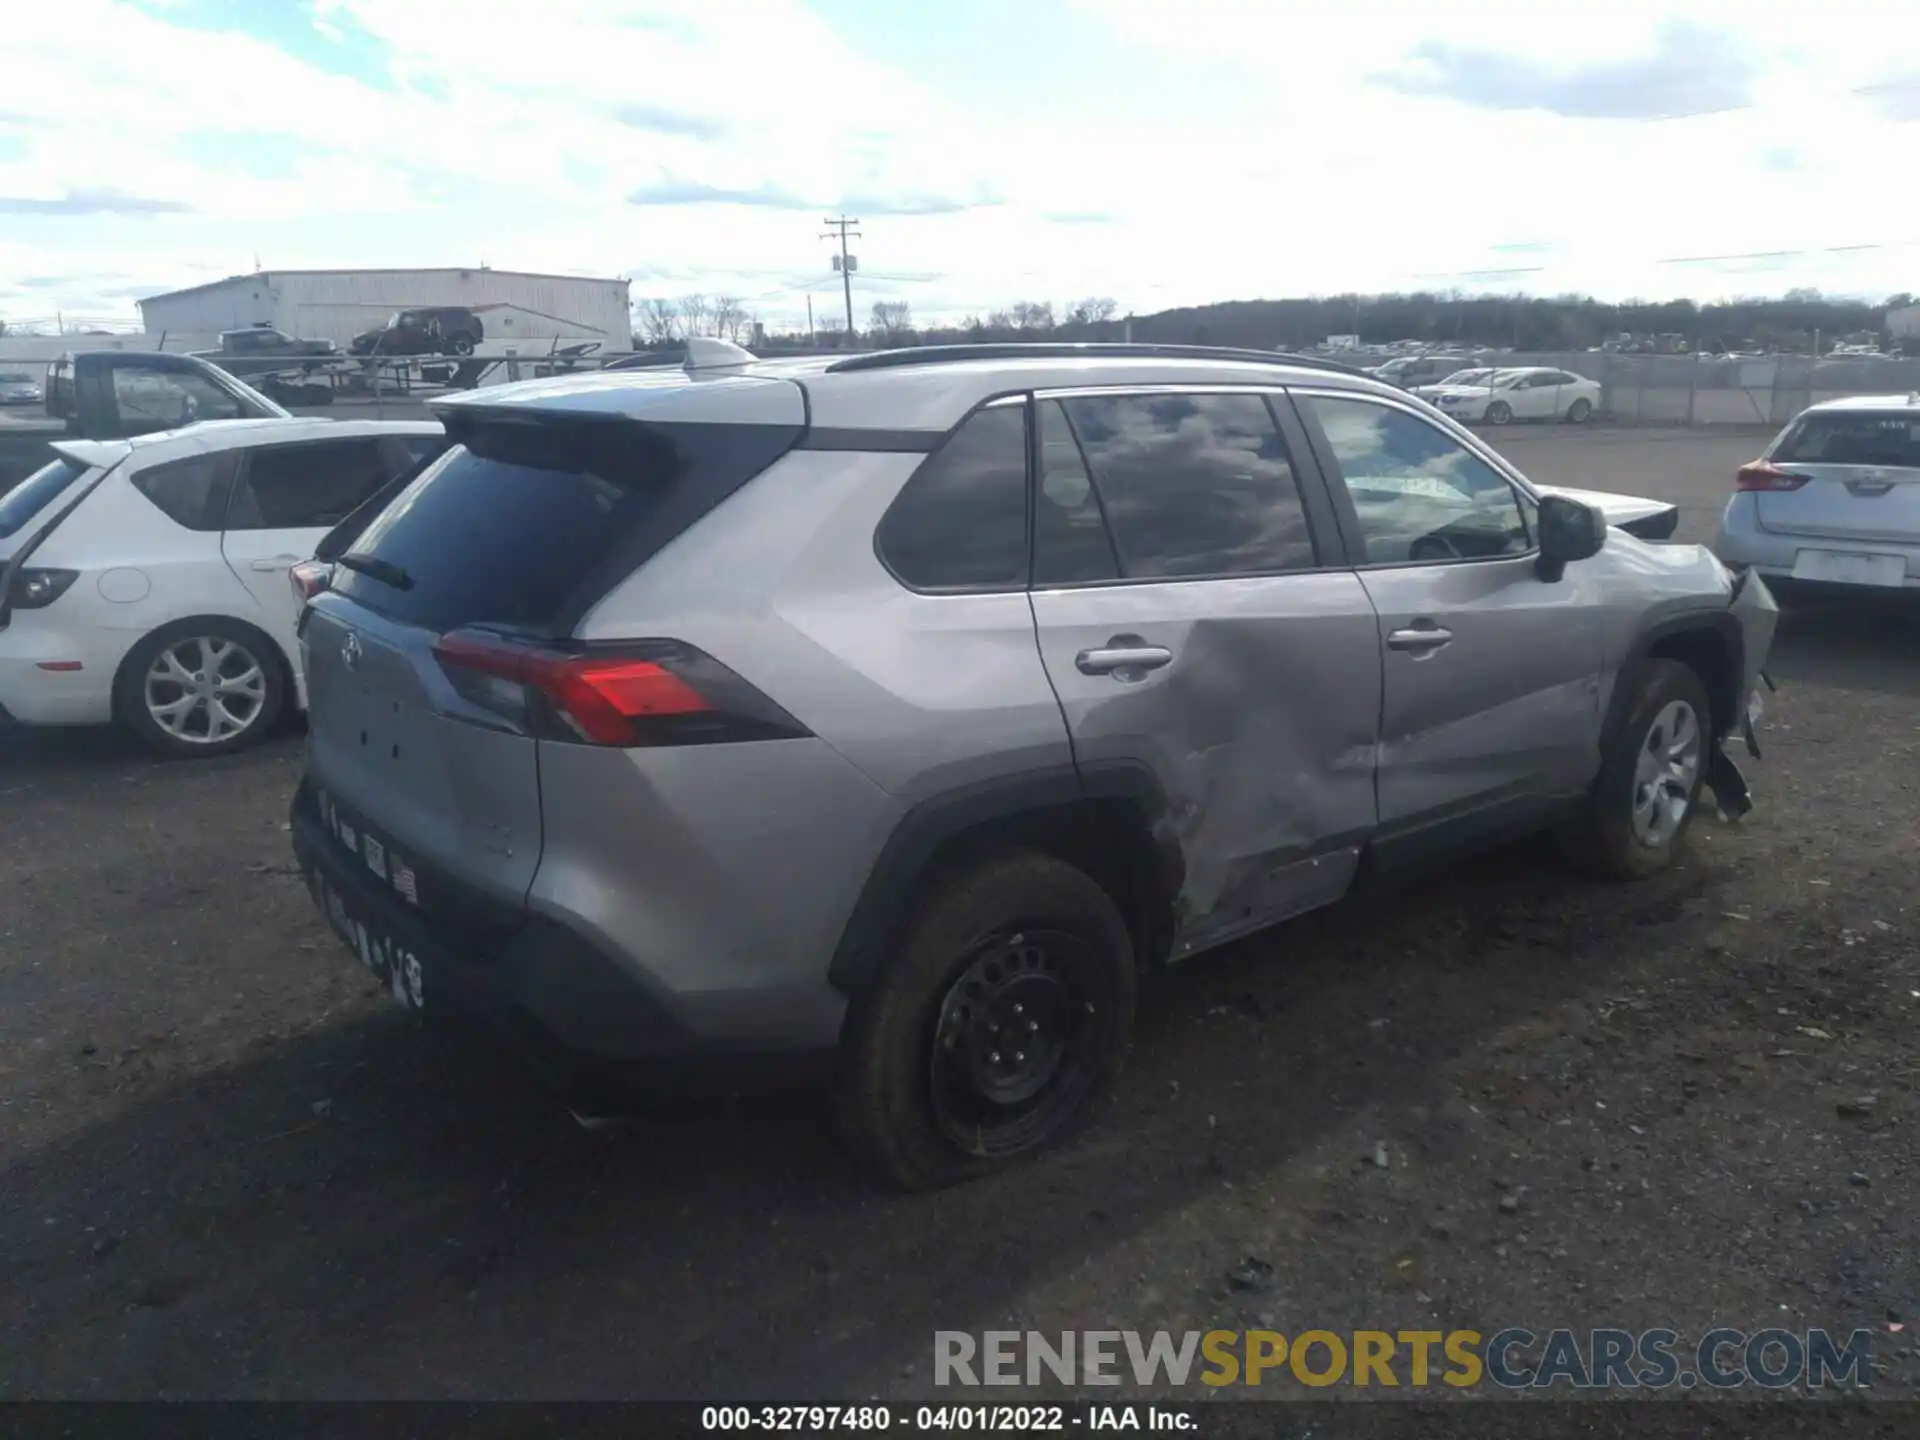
point(201, 688)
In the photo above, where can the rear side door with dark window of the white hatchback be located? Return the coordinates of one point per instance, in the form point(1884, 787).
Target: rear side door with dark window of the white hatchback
point(285, 500)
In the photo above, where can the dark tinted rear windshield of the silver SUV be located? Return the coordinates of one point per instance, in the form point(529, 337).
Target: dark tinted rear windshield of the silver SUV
point(529, 523)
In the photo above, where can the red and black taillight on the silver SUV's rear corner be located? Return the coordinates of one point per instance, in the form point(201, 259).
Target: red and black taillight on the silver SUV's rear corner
point(654, 692)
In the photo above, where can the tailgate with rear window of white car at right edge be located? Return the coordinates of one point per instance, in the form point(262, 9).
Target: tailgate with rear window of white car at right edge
point(1861, 479)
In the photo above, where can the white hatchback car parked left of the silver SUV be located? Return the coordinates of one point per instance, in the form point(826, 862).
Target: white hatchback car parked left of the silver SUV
point(147, 581)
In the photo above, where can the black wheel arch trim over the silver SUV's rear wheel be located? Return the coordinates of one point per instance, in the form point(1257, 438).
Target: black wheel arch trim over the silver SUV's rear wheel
point(932, 825)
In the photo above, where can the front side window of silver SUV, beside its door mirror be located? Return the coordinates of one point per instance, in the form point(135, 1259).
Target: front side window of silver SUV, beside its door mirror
point(1420, 494)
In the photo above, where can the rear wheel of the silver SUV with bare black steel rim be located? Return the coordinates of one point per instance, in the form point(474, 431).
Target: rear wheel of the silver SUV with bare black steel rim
point(894, 1095)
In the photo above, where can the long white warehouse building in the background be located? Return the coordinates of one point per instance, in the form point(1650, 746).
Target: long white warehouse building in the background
point(341, 304)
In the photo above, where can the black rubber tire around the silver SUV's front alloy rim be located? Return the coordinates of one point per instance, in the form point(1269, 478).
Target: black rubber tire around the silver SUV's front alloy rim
point(1604, 838)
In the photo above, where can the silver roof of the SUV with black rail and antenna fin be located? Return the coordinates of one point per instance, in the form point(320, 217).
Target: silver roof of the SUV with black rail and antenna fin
point(903, 391)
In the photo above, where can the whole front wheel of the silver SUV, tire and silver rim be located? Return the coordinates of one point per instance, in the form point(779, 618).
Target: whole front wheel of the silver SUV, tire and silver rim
point(1650, 779)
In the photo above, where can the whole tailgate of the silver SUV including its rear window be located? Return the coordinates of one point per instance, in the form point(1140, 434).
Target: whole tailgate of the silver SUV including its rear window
point(519, 529)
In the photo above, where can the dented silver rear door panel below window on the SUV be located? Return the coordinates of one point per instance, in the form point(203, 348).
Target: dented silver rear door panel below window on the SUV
point(1260, 729)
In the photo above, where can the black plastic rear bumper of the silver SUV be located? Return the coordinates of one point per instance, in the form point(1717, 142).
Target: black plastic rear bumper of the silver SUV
point(587, 1022)
